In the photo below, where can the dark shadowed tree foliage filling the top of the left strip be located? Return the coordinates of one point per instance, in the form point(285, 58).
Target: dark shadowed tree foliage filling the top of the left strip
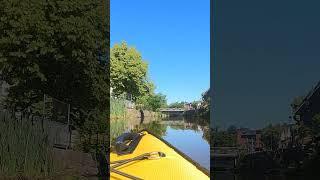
point(53, 47)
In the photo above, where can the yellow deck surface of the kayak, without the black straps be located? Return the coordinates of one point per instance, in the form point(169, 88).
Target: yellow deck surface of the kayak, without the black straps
point(172, 166)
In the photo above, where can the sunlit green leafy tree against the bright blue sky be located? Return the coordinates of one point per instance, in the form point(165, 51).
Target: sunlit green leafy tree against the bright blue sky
point(128, 71)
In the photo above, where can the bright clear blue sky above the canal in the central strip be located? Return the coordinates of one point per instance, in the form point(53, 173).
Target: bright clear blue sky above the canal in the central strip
point(173, 36)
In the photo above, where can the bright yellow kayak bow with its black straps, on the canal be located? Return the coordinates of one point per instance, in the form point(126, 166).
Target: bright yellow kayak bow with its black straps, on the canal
point(153, 158)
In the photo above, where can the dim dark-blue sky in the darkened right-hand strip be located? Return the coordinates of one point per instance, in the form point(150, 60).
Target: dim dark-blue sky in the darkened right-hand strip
point(266, 53)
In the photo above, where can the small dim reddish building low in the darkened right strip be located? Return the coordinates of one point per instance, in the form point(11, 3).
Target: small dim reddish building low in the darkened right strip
point(249, 139)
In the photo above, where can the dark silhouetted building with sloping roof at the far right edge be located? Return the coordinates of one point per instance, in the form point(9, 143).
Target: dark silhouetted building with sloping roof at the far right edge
point(309, 107)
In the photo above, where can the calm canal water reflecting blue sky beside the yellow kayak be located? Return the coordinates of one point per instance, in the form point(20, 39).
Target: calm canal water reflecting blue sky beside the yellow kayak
point(190, 136)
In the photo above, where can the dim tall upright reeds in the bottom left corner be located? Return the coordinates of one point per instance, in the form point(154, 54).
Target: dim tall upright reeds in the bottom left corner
point(25, 150)
